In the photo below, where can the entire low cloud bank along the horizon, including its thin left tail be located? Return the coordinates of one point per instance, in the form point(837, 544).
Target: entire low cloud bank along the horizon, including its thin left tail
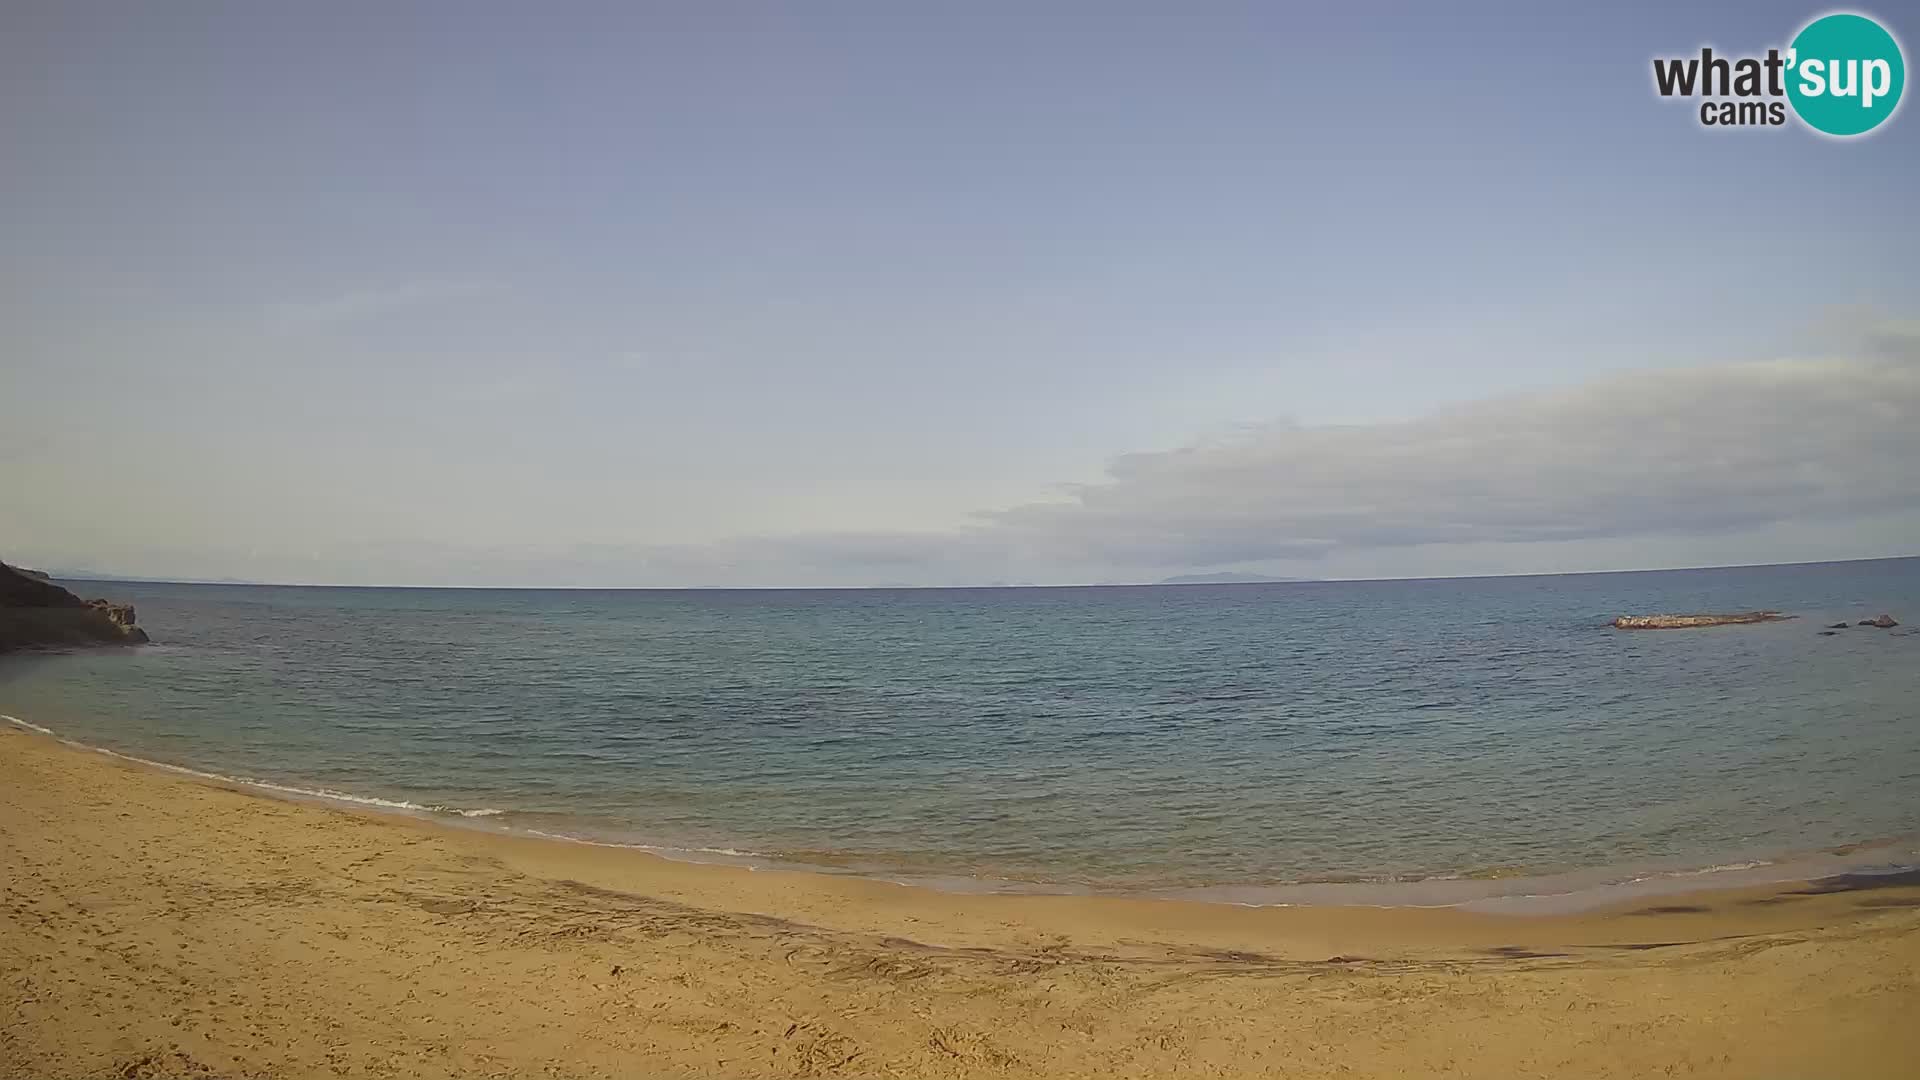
point(1750, 462)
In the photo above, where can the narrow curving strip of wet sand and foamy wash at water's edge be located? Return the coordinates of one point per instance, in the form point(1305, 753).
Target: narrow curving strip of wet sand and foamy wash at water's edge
point(1556, 893)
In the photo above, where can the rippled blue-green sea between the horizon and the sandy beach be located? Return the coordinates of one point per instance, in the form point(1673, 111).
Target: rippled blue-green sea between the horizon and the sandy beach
point(1109, 739)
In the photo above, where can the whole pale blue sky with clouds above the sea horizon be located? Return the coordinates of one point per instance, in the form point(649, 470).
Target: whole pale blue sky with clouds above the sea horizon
point(775, 295)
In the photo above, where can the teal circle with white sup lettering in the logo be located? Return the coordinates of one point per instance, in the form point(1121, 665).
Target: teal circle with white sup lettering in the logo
point(1850, 53)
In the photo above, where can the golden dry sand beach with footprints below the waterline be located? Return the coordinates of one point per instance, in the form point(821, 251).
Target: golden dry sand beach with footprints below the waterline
point(155, 925)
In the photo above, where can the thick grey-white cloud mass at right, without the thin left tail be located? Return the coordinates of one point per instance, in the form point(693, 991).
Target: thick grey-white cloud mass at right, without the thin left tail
point(1671, 453)
